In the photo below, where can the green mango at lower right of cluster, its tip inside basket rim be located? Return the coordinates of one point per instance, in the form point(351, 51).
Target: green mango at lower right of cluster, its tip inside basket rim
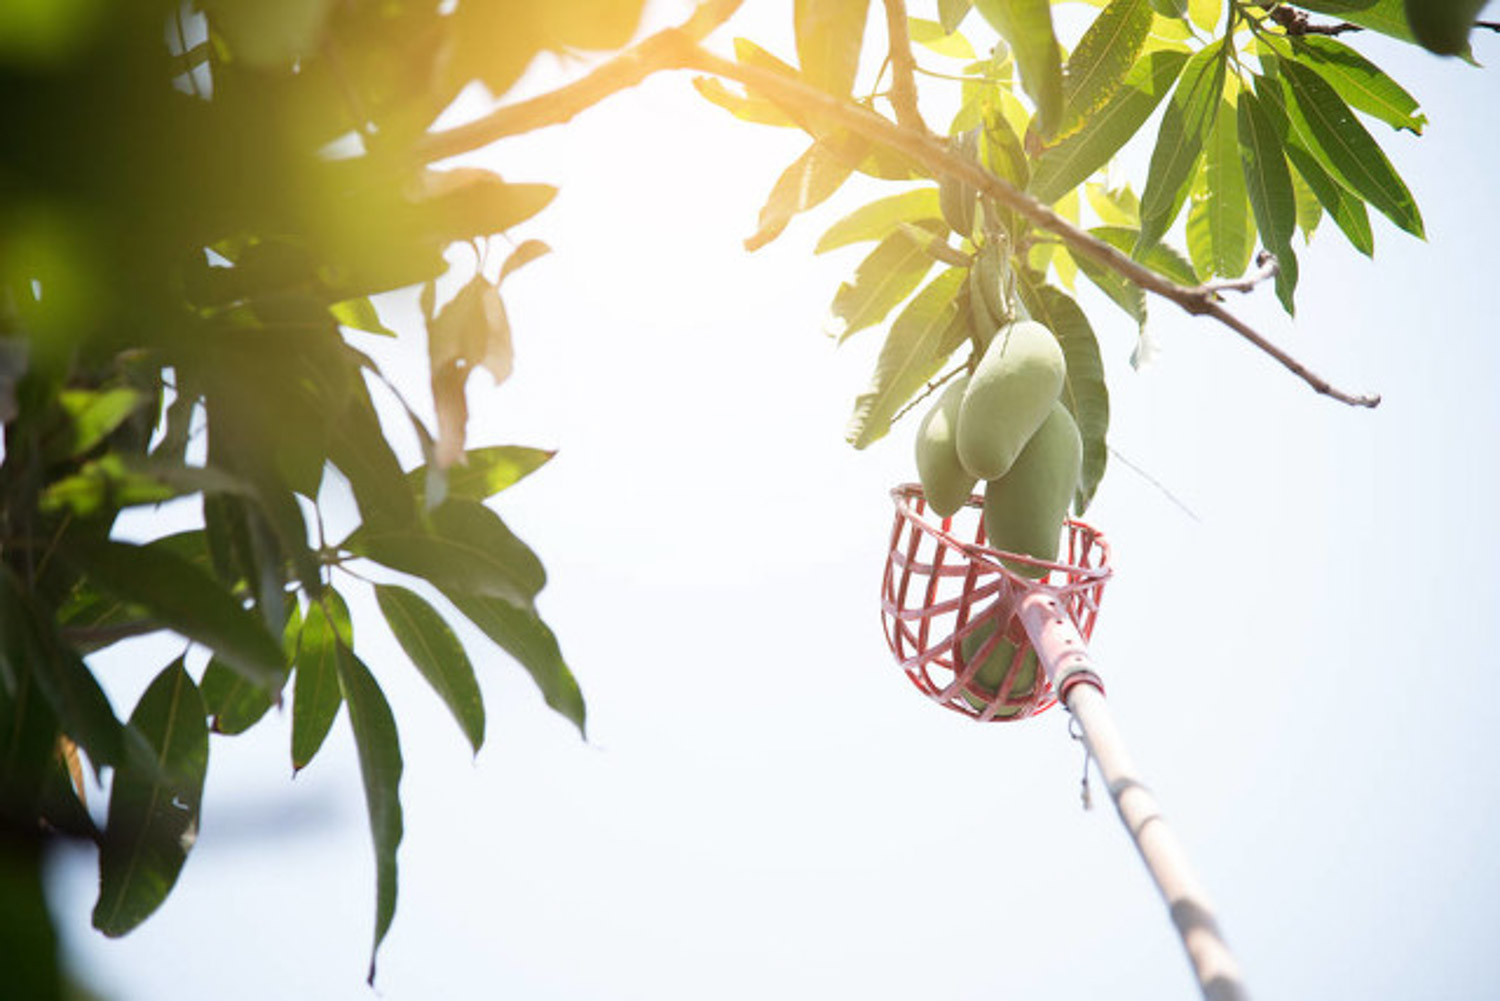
point(1025, 510)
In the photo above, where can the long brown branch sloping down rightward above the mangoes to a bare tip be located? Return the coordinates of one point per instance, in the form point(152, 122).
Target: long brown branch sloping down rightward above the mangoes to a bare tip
point(932, 152)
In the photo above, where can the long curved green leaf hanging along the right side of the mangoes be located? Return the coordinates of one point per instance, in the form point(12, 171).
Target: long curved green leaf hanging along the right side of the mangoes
point(1084, 392)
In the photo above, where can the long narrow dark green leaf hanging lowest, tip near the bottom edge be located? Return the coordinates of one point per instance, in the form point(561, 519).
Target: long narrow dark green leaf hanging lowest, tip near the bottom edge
point(379, 748)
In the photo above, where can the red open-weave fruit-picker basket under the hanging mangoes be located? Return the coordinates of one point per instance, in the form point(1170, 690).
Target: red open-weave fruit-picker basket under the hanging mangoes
point(947, 606)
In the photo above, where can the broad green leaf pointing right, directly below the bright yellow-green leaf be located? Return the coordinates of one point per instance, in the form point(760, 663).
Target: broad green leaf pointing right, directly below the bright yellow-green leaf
point(469, 550)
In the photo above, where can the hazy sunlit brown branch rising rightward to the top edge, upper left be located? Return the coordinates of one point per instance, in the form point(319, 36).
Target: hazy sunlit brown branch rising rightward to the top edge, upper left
point(622, 73)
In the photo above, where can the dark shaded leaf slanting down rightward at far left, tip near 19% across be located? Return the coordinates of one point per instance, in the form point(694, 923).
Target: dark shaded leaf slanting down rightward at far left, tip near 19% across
point(187, 601)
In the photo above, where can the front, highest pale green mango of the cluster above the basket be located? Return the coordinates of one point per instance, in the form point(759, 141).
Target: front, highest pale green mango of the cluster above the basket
point(1010, 394)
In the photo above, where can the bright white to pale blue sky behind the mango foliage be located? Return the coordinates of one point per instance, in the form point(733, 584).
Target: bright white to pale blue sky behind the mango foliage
point(766, 808)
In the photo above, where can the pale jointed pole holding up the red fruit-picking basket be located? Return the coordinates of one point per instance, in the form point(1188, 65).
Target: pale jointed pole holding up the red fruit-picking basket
point(1066, 658)
